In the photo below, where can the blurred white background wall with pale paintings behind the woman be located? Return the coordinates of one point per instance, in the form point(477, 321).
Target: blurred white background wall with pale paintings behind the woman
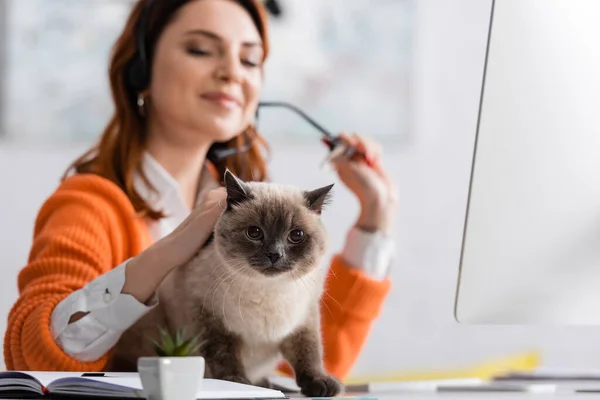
point(406, 72)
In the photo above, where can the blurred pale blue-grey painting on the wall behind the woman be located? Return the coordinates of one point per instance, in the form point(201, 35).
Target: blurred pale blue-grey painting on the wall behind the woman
point(345, 62)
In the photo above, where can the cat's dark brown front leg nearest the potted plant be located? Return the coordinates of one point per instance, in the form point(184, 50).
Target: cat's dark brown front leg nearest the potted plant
point(221, 350)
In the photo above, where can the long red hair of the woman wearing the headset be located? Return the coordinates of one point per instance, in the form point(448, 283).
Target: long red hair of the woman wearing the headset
point(118, 154)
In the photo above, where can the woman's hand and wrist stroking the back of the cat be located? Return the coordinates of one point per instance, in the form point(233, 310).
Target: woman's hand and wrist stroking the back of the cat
point(145, 272)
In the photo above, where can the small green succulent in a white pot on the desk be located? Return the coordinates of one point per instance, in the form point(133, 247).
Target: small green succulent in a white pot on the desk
point(174, 374)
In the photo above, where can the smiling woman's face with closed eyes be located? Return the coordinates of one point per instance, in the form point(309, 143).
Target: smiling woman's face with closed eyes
point(206, 72)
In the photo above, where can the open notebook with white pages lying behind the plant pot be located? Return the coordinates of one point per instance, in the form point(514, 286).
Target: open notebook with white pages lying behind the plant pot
point(118, 385)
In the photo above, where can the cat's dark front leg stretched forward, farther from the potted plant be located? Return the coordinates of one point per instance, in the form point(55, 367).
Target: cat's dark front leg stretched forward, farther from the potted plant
point(303, 350)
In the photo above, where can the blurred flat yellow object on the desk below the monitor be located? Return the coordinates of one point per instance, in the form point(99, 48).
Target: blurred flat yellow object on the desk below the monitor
point(487, 370)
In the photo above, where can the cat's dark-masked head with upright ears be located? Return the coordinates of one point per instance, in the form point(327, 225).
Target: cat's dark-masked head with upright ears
point(270, 230)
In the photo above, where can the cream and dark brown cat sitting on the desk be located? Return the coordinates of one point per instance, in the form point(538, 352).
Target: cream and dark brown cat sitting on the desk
point(248, 317)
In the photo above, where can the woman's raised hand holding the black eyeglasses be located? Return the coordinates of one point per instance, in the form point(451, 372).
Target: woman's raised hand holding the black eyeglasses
point(375, 191)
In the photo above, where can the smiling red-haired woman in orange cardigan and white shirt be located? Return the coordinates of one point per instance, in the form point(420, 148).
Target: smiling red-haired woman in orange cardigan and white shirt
point(185, 76)
